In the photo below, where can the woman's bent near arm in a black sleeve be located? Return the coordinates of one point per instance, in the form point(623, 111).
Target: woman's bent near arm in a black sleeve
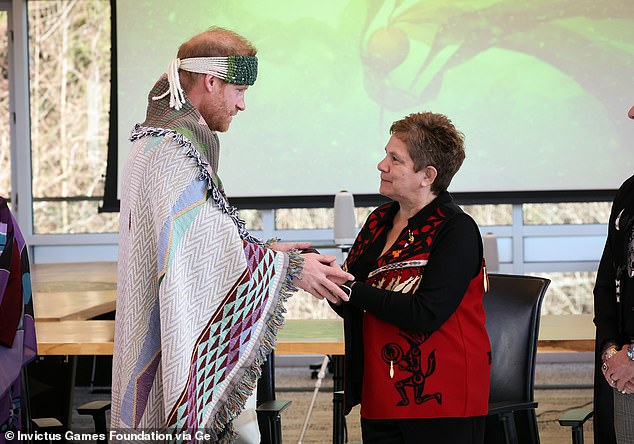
point(454, 260)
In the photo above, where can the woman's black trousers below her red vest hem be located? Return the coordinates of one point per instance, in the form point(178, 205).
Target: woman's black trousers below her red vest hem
point(422, 431)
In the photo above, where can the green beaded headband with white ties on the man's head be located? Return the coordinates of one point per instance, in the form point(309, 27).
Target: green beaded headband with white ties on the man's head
point(239, 70)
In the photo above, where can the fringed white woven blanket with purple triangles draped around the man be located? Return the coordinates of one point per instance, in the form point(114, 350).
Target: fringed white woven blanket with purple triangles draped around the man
point(199, 300)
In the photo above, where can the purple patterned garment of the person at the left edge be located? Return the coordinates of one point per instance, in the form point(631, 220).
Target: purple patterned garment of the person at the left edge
point(17, 329)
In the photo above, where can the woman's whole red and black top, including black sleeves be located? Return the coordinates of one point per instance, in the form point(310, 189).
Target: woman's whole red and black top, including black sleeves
point(417, 310)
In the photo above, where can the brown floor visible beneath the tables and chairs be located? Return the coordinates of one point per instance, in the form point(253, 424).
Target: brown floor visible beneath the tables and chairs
point(559, 386)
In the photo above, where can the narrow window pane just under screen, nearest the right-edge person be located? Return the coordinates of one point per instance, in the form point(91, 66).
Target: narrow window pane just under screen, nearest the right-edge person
point(571, 213)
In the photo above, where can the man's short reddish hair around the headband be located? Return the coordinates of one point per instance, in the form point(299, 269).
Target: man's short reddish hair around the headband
point(215, 42)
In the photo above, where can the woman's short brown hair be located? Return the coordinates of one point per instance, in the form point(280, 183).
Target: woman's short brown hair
point(432, 139)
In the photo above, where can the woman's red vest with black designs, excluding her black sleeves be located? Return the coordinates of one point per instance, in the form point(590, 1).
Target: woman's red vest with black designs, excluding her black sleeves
point(440, 374)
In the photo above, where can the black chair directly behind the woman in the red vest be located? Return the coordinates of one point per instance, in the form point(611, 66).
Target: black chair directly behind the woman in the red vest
point(512, 306)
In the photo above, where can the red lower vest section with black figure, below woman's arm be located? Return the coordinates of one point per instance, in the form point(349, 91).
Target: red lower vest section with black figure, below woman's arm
point(442, 374)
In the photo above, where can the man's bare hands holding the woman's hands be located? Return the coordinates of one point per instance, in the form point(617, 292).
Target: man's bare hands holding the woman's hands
point(321, 276)
